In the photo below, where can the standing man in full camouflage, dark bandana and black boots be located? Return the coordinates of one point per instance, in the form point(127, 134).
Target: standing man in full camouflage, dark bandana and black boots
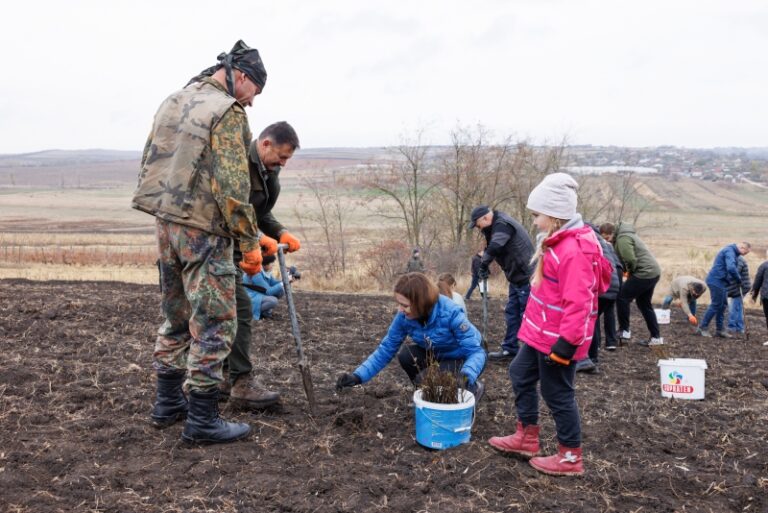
point(194, 179)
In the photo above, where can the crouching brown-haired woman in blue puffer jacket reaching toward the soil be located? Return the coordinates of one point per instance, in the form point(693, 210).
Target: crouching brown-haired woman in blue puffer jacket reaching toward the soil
point(435, 325)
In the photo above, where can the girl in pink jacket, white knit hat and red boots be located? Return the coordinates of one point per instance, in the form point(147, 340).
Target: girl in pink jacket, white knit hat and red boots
point(557, 327)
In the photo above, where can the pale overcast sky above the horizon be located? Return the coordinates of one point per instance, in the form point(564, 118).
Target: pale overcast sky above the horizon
point(90, 74)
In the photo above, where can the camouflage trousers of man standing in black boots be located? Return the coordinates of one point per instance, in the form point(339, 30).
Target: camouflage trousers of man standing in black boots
point(197, 278)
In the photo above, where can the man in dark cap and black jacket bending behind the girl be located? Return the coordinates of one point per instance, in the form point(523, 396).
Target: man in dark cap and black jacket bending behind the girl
point(508, 243)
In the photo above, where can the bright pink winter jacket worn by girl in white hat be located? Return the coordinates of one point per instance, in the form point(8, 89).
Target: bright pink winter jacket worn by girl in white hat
point(564, 303)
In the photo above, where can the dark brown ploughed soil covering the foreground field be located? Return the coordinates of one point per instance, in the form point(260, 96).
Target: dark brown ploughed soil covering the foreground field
point(76, 386)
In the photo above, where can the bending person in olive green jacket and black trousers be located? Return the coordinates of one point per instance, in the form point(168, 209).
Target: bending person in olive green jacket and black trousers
point(643, 274)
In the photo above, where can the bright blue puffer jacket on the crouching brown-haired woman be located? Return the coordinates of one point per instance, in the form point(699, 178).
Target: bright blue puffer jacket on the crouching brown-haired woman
point(448, 332)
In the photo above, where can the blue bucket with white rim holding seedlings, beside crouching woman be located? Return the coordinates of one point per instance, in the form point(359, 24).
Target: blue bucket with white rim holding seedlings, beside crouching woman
point(441, 426)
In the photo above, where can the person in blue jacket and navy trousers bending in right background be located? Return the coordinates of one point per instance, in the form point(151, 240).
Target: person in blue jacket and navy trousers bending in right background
point(724, 272)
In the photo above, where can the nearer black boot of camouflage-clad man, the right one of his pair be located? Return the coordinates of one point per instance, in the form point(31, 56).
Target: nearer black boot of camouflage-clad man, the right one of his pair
point(204, 426)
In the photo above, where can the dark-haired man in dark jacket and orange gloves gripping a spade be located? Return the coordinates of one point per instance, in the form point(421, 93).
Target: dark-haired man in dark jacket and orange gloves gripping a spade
point(267, 154)
